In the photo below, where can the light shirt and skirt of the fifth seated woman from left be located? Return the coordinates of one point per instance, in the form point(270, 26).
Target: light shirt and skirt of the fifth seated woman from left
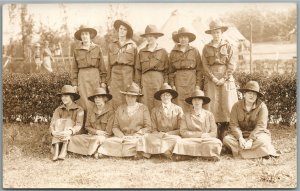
point(191, 129)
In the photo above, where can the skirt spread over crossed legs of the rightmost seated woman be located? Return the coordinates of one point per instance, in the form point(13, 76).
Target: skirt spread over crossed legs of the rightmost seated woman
point(261, 147)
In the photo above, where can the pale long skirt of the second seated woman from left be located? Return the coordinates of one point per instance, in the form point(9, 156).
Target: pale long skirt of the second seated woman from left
point(85, 144)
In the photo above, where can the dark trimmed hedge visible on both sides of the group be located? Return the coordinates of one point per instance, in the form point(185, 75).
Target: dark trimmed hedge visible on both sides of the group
point(29, 95)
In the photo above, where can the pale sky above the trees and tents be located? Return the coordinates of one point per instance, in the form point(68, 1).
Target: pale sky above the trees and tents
point(138, 15)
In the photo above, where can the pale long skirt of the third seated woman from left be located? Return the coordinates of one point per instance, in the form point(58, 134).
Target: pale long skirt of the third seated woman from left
point(119, 147)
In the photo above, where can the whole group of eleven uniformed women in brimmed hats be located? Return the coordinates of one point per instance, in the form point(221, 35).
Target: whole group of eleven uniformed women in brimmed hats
point(137, 117)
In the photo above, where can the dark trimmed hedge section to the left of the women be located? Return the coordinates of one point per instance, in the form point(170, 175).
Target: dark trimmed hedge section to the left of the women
point(27, 96)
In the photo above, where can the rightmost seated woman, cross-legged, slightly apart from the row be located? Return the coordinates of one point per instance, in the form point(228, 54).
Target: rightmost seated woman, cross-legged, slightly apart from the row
point(249, 136)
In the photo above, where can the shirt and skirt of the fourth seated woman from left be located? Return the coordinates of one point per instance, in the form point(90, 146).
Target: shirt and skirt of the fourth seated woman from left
point(166, 131)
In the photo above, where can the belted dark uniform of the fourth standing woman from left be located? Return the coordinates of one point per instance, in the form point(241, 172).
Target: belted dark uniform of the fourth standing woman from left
point(185, 73)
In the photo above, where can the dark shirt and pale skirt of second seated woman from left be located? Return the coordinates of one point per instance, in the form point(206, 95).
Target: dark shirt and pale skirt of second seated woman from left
point(98, 126)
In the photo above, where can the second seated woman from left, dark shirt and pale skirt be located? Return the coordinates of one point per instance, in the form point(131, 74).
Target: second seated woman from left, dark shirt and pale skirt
point(98, 125)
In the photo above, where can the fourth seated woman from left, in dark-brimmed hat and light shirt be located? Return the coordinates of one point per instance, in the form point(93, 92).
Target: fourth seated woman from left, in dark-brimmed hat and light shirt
point(165, 125)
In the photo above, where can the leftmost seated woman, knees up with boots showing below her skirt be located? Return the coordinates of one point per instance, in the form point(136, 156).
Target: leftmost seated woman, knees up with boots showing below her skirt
point(67, 120)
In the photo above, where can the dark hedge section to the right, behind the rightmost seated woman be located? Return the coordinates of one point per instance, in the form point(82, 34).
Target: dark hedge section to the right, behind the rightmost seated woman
point(279, 93)
